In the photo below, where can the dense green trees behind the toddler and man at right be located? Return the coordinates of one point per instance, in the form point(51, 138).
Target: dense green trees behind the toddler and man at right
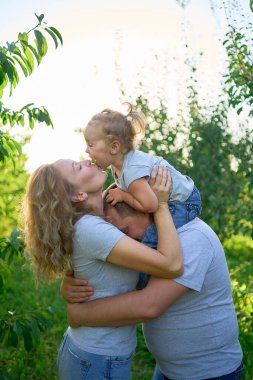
point(204, 149)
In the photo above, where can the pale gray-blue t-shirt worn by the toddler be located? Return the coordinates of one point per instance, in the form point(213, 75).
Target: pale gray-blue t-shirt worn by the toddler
point(138, 164)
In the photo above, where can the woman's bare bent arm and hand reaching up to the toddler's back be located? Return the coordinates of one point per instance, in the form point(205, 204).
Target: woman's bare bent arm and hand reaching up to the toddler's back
point(166, 261)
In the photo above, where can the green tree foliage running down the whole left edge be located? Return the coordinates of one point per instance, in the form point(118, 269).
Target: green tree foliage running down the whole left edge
point(18, 58)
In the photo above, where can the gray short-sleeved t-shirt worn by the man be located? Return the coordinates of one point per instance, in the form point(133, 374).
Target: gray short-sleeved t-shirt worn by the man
point(199, 332)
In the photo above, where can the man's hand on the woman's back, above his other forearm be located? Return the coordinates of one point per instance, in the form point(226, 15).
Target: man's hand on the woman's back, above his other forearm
point(75, 290)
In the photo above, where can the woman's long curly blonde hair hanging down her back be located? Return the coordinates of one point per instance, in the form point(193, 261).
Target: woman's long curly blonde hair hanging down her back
point(48, 222)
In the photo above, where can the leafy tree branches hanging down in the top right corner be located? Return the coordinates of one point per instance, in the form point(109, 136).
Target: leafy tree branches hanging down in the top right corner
point(238, 44)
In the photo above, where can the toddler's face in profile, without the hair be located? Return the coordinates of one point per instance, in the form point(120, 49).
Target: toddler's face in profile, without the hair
point(97, 147)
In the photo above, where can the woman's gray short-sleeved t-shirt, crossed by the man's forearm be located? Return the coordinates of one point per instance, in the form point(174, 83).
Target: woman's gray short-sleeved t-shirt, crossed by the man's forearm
point(94, 239)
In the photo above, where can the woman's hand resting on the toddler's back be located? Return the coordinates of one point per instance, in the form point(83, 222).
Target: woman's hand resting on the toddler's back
point(160, 182)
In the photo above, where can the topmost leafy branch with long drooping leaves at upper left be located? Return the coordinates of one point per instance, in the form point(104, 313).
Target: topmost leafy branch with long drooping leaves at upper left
point(25, 54)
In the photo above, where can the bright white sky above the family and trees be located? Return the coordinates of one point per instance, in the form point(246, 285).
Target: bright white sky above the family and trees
point(106, 41)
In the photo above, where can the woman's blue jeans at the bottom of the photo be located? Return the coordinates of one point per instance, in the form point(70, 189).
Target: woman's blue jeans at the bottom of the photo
point(75, 364)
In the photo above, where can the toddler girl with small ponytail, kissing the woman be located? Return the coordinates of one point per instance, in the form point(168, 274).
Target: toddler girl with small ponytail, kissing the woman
point(110, 138)
